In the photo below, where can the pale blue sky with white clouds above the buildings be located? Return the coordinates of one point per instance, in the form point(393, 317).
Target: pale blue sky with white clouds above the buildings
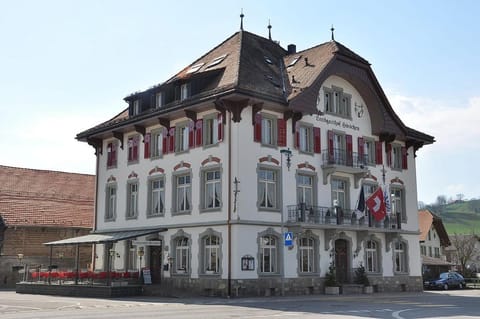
point(66, 65)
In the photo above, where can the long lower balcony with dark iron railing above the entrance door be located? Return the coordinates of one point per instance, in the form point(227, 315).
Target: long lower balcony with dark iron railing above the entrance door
point(305, 215)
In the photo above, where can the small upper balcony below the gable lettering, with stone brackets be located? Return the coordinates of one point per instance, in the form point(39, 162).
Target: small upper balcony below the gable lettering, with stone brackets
point(340, 160)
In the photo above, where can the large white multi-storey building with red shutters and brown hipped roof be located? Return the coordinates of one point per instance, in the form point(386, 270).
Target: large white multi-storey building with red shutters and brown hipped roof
point(206, 172)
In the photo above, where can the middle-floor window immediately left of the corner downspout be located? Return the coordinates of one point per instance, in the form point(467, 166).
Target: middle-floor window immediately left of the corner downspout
point(212, 188)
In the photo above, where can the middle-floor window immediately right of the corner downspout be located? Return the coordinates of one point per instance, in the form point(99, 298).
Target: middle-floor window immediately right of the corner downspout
point(268, 188)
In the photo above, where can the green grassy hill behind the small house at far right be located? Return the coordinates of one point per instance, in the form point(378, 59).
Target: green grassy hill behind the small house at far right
point(461, 217)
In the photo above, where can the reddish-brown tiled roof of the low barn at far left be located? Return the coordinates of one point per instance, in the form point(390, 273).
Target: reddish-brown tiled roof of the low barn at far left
point(30, 197)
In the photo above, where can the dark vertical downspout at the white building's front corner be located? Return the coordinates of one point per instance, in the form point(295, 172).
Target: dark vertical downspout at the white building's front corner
point(229, 224)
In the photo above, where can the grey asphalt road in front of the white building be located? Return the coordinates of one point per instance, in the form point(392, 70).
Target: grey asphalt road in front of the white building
point(437, 304)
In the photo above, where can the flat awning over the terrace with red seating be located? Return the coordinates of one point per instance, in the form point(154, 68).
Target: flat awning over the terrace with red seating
point(106, 237)
